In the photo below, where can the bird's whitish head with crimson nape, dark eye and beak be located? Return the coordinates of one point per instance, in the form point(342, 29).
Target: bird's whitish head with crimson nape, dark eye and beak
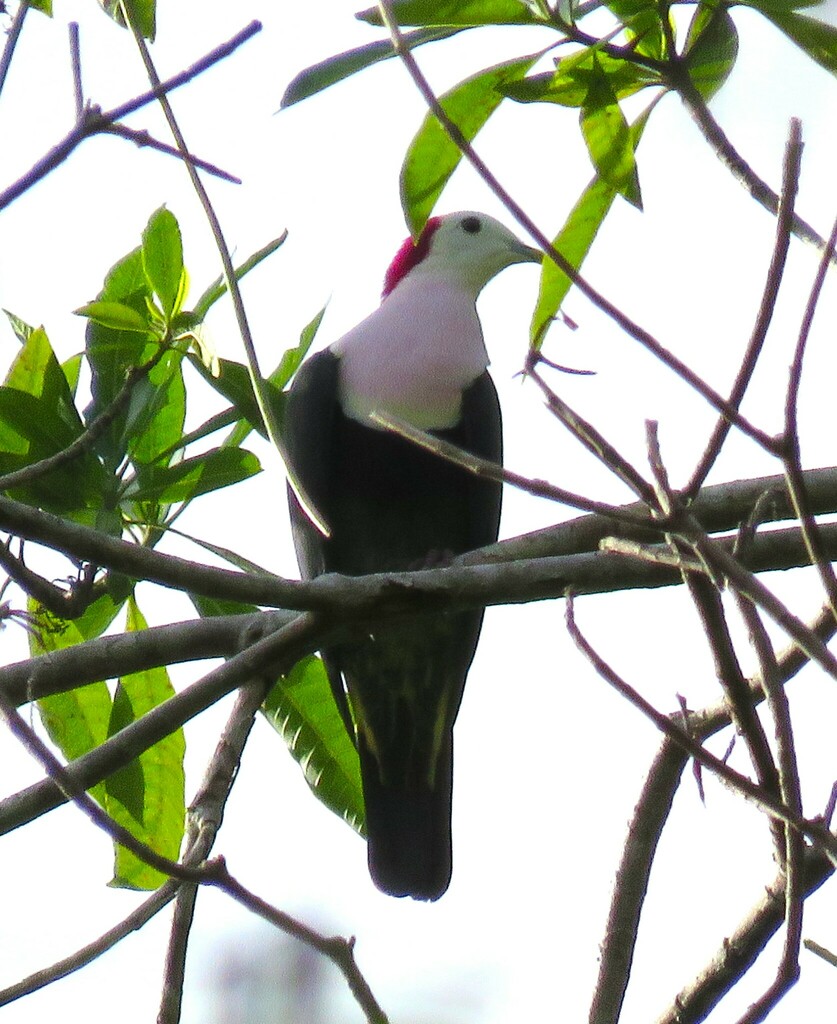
point(466, 249)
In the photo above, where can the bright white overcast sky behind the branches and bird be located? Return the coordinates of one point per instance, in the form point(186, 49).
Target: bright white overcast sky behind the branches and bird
point(550, 762)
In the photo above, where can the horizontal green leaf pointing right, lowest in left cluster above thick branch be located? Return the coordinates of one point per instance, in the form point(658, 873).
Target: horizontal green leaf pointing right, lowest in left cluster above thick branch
point(187, 480)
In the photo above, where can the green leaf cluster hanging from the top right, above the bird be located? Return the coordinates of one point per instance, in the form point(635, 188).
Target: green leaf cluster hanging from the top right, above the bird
point(594, 69)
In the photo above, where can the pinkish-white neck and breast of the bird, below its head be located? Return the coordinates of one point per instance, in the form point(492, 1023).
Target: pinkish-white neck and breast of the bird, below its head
point(414, 357)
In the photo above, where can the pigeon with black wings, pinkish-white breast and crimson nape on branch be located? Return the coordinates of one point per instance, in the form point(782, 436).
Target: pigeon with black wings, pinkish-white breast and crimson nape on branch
point(390, 505)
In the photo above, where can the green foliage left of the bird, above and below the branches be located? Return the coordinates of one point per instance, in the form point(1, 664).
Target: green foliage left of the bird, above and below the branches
point(131, 476)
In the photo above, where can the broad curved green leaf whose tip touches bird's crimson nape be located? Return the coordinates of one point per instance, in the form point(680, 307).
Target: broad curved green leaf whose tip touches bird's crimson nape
point(433, 157)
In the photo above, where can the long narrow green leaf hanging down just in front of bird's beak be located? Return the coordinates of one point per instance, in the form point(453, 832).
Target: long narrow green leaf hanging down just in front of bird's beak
point(574, 242)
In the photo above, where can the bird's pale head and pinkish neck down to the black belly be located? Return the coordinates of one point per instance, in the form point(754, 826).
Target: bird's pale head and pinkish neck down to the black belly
point(414, 356)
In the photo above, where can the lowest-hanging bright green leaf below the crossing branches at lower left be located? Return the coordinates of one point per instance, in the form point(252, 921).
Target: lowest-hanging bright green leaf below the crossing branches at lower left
point(147, 796)
